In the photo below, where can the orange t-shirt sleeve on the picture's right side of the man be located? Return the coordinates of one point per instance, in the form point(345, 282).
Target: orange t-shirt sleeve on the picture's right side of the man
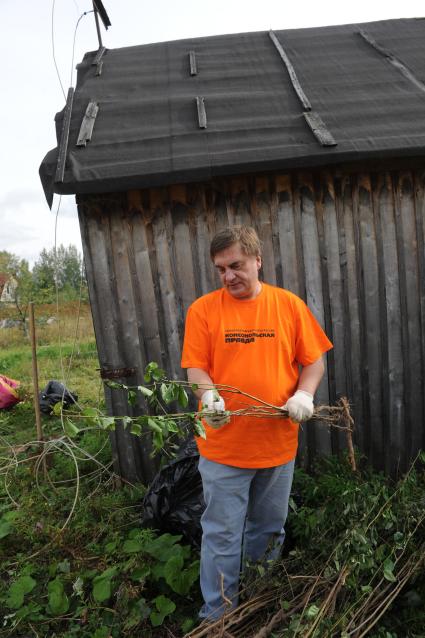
point(310, 340)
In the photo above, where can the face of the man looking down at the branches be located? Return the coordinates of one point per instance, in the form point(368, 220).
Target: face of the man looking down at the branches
point(238, 272)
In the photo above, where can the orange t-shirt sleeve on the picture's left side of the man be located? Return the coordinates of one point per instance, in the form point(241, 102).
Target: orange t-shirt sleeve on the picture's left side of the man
point(196, 345)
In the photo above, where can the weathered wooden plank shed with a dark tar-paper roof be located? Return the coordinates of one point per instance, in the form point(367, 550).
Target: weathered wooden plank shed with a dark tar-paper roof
point(316, 137)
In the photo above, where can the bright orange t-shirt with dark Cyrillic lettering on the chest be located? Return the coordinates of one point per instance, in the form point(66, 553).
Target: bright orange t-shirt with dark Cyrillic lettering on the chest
point(254, 345)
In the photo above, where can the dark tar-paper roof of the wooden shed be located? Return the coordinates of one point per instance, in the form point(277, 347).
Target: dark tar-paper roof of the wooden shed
point(368, 90)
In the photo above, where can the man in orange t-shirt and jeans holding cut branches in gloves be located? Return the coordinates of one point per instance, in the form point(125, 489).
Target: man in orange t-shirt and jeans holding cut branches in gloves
point(253, 337)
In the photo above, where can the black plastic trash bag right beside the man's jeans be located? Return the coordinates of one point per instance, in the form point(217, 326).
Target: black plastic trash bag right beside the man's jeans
point(174, 502)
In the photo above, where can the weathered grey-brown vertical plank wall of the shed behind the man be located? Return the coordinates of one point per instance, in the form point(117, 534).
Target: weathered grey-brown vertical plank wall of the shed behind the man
point(350, 243)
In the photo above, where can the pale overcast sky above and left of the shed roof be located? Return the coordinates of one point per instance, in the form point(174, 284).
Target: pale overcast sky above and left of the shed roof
point(31, 94)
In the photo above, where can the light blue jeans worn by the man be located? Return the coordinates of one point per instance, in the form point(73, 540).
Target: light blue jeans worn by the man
point(244, 520)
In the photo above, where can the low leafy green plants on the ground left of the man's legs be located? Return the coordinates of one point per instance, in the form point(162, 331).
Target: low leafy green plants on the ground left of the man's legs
point(119, 579)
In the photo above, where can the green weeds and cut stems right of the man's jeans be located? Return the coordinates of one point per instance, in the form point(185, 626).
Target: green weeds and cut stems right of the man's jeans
point(369, 529)
